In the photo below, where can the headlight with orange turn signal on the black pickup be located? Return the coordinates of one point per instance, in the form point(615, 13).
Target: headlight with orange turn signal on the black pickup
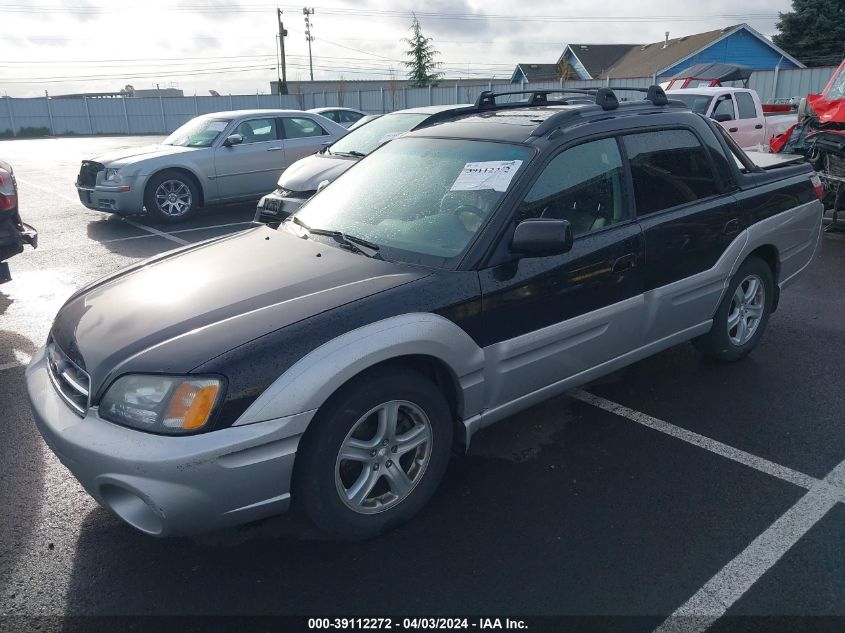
point(162, 404)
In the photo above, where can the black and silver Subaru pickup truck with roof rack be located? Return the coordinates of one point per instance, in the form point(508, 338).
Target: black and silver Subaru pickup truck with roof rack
point(455, 276)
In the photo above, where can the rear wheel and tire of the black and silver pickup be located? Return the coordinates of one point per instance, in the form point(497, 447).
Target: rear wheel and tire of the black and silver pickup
point(742, 316)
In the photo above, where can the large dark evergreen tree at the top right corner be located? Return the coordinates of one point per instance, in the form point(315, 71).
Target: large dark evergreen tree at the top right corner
point(813, 32)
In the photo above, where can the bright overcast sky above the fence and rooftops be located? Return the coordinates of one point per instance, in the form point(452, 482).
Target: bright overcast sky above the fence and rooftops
point(69, 46)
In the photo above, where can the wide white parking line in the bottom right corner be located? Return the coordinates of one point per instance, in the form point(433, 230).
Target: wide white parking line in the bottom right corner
point(713, 600)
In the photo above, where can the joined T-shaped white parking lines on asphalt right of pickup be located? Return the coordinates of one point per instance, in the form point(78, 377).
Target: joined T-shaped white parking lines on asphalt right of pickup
point(714, 599)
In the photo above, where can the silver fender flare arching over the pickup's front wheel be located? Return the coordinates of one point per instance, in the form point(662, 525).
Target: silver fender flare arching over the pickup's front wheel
point(307, 384)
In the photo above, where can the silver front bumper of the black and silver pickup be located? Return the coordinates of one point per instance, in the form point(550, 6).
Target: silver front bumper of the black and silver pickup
point(165, 485)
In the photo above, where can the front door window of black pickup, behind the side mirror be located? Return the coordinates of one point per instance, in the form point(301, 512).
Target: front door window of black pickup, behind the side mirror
point(584, 185)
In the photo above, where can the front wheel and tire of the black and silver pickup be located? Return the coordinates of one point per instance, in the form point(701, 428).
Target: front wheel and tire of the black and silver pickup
point(375, 453)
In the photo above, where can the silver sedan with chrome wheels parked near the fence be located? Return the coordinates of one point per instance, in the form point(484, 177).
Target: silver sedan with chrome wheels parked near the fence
point(212, 159)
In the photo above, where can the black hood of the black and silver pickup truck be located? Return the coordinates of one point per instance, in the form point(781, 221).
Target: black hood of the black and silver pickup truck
point(171, 314)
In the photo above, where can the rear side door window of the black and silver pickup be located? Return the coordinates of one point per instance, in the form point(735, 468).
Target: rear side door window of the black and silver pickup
point(669, 168)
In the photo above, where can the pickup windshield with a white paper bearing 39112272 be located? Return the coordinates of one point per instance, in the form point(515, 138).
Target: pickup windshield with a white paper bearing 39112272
point(422, 199)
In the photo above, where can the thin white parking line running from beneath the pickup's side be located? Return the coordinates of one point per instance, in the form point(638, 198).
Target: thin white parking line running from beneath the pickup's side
point(714, 446)
